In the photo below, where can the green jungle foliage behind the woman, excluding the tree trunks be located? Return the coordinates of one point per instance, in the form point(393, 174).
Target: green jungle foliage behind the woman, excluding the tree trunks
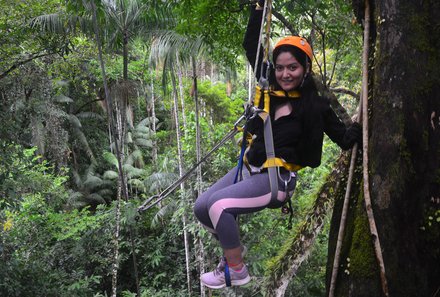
point(58, 165)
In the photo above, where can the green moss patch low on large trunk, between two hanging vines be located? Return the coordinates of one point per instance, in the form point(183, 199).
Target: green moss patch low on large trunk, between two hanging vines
point(362, 259)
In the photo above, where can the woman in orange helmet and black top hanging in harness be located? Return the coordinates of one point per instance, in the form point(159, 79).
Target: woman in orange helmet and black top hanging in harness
point(299, 119)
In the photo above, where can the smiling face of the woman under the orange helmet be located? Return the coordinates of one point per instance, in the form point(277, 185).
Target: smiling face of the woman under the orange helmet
point(289, 73)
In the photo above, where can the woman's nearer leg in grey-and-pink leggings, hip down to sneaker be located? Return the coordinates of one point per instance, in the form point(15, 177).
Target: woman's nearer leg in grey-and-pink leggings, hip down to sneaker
point(250, 195)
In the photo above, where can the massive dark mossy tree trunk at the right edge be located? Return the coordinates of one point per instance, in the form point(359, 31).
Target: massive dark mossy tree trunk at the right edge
point(404, 154)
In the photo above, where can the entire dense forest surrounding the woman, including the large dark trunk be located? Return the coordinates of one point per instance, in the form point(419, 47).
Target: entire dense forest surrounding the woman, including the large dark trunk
point(106, 103)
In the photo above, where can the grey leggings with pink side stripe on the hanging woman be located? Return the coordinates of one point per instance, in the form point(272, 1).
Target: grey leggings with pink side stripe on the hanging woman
point(218, 207)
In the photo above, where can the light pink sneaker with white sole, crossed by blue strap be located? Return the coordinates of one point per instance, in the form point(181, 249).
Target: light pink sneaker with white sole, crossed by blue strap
point(216, 279)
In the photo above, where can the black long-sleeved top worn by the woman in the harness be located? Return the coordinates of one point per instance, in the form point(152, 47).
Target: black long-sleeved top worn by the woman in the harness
point(297, 137)
